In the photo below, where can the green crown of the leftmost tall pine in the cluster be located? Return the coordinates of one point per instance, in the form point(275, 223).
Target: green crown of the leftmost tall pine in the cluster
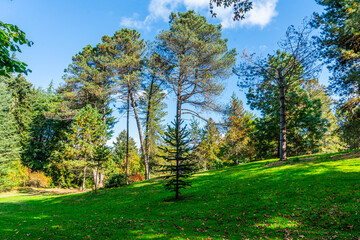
point(88, 80)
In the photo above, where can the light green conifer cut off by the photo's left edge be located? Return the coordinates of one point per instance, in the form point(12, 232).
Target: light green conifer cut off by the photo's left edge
point(9, 140)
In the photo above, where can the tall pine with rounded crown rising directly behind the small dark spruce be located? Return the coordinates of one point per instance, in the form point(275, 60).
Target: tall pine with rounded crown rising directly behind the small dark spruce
point(199, 60)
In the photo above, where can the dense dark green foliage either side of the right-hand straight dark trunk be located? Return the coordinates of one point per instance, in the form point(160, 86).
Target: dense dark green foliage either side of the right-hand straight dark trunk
point(305, 125)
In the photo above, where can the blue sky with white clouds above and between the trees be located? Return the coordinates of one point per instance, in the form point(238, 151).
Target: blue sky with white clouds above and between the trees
point(61, 28)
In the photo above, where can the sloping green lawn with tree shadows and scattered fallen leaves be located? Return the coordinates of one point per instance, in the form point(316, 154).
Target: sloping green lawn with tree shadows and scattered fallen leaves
point(315, 199)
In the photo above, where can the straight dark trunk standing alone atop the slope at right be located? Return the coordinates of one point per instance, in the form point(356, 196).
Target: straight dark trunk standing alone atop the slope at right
point(283, 146)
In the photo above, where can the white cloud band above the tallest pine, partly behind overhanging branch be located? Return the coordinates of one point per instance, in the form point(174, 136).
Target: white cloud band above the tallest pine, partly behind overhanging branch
point(261, 15)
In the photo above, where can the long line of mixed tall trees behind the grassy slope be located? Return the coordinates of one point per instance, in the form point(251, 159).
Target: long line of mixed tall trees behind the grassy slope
point(58, 136)
